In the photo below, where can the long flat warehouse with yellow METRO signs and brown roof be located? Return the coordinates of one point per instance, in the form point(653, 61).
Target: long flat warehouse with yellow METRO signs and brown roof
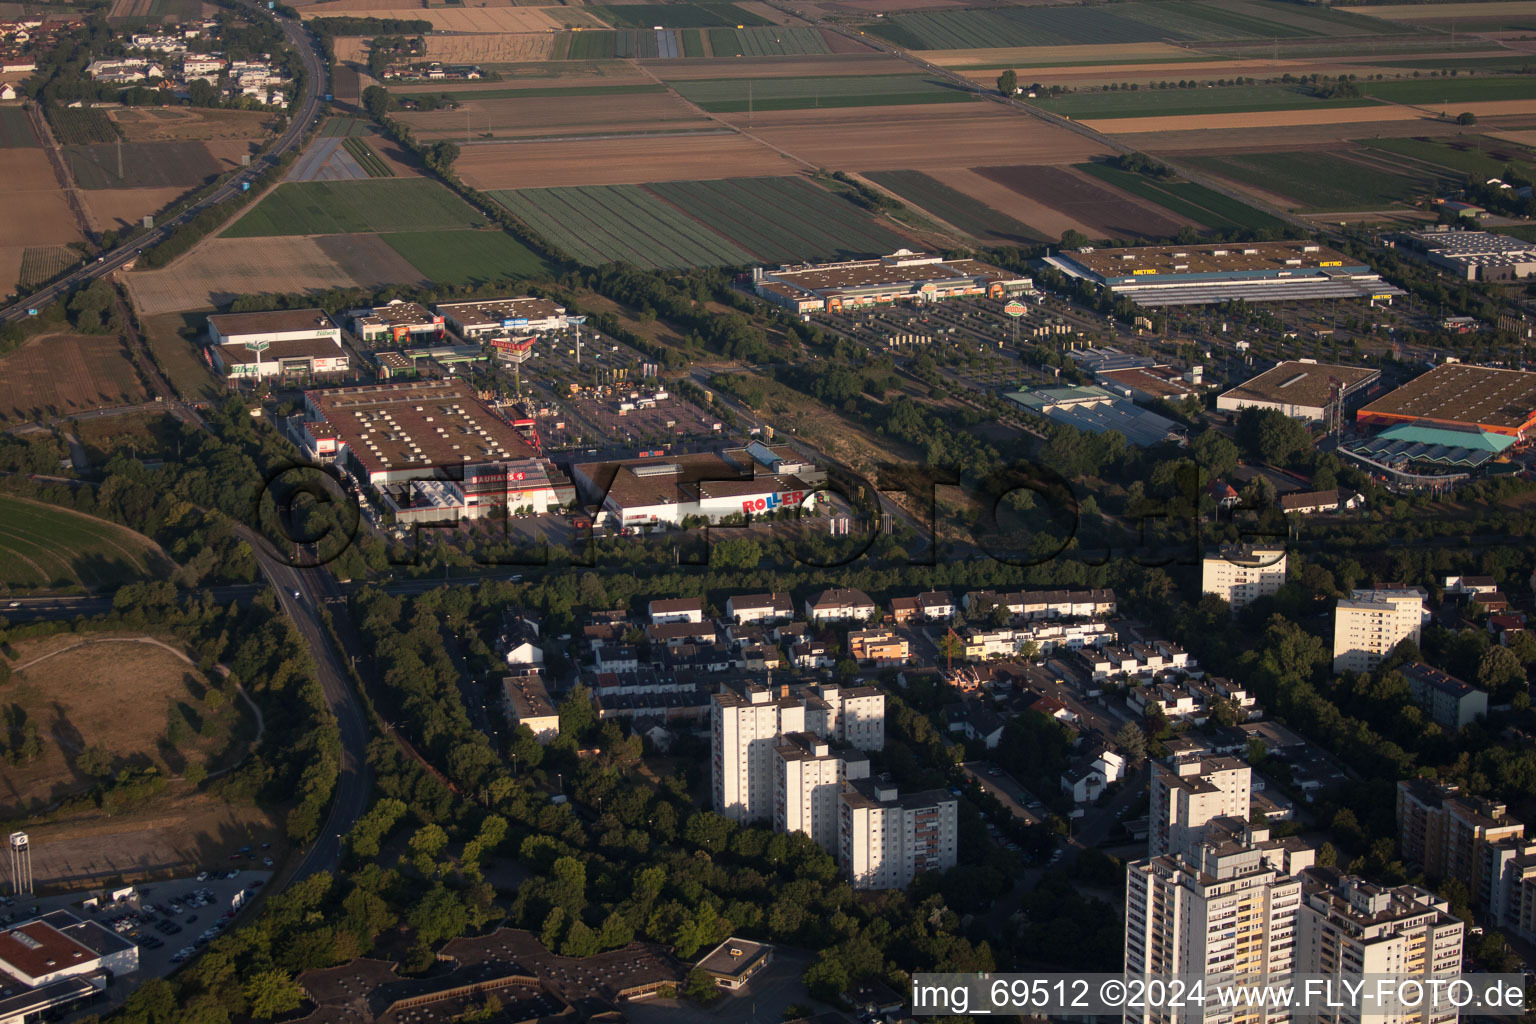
point(1202, 276)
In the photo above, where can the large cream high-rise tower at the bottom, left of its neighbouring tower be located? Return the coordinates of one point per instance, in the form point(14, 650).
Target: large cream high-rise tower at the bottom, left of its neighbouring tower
point(1225, 910)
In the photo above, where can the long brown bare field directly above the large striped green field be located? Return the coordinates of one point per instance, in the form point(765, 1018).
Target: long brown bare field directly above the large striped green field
point(627, 162)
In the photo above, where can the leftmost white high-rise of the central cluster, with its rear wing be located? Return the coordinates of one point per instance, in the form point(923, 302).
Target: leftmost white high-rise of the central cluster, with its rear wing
point(749, 722)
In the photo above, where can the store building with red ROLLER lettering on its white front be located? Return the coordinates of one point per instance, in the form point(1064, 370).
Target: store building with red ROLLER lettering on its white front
point(758, 481)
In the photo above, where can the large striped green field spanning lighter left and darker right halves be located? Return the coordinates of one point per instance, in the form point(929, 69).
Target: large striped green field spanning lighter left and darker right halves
point(701, 223)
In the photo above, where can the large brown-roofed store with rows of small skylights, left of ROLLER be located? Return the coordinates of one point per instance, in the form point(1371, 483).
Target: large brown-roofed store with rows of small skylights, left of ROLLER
point(434, 452)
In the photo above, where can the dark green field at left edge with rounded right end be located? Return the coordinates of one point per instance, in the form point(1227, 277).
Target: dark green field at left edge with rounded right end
point(45, 547)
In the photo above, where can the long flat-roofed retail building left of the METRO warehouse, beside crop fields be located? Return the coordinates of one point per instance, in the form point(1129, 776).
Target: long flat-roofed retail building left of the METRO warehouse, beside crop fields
point(902, 277)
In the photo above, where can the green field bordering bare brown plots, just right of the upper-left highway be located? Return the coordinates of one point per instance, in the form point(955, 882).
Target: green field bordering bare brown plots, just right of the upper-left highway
point(345, 208)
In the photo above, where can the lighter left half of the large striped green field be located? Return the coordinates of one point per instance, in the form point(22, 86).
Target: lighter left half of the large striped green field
point(621, 223)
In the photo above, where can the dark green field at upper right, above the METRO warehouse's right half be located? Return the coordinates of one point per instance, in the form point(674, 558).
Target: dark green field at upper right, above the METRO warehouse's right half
point(1317, 180)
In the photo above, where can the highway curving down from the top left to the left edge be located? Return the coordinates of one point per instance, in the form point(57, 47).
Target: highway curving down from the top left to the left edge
point(297, 130)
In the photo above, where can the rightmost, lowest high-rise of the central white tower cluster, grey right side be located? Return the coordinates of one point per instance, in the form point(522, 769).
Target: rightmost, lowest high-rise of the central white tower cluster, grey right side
point(886, 839)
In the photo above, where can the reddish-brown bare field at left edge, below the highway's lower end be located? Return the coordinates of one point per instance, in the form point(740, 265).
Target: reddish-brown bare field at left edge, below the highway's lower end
point(67, 374)
